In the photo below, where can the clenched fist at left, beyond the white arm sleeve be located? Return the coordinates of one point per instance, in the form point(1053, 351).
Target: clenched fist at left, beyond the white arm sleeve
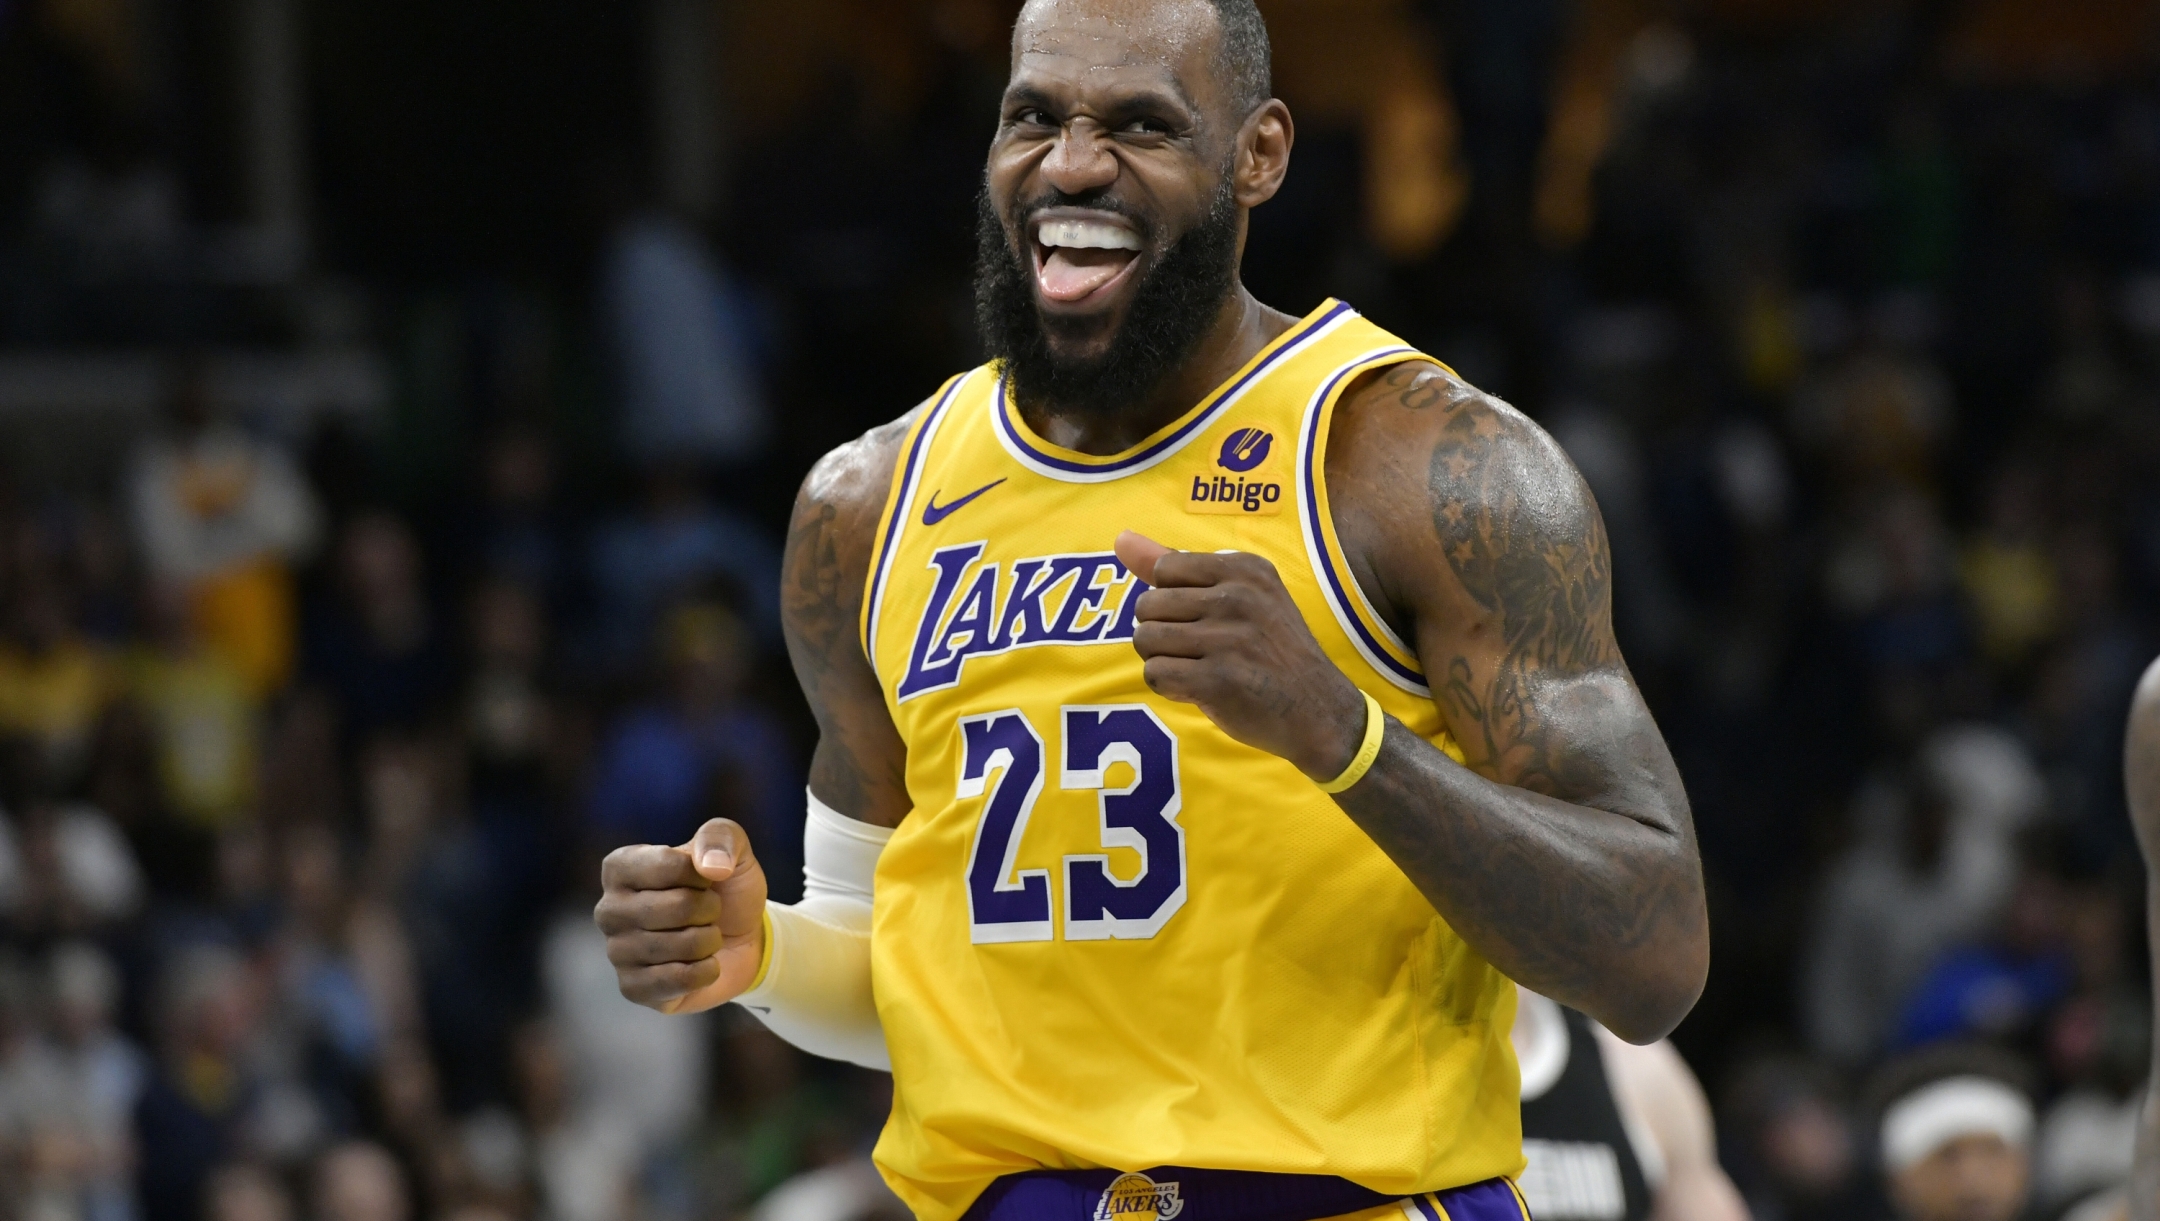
point(686, 926)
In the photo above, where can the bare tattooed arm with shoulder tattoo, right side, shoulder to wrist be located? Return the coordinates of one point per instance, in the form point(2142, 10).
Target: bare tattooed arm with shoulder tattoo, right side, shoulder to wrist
point(1565, 853)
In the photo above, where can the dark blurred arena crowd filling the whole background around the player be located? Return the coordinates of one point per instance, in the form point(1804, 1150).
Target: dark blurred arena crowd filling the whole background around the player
point(312, 734)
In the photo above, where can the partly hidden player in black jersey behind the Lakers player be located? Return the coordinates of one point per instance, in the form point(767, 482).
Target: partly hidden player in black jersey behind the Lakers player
point(1612, 1131)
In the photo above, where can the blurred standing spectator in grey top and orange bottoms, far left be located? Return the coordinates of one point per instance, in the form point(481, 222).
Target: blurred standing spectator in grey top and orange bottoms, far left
point(224, 515)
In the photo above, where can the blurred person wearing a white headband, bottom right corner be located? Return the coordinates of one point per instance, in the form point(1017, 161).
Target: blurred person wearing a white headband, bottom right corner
point(1958, 1138)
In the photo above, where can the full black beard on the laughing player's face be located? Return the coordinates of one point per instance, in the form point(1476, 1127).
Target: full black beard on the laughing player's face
point(1174, 308)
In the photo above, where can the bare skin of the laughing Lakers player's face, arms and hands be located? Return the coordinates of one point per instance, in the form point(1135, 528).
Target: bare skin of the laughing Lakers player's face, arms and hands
point(1563, 853)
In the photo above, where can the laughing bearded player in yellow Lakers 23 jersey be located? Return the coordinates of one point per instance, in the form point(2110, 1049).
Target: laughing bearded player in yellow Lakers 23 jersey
point(1226, 706)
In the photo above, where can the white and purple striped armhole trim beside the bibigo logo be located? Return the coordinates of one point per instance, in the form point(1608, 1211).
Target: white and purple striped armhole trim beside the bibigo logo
point(1377, 643)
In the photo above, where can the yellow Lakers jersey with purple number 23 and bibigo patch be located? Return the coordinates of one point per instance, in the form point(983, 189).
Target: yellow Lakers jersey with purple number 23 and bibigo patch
point(1109, 937)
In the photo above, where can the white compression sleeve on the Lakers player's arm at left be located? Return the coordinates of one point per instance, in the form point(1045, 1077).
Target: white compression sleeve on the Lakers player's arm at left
point(818, 971)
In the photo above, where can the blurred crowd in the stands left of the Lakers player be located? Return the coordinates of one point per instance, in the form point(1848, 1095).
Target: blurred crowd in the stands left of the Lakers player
point(303, 818)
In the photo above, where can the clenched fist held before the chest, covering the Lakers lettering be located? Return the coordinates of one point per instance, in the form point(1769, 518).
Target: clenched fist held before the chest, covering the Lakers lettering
point(1221, 632)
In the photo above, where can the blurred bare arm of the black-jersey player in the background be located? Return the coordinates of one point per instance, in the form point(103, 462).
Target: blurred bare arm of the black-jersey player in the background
point(1656, 1090)
